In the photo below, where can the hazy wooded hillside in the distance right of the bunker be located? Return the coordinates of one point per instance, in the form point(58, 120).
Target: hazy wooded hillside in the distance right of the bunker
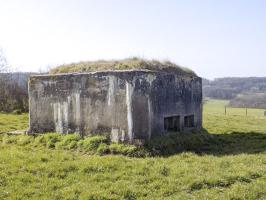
point(242, 92)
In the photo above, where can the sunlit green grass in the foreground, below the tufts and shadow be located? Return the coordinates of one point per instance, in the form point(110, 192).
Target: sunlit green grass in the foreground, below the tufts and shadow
point(50, 174)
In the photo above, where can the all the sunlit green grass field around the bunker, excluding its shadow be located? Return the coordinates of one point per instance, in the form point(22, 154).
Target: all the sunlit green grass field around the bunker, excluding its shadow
point(226, 161)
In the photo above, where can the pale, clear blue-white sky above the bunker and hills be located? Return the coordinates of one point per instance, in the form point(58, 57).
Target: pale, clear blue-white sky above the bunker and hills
point(215, 38)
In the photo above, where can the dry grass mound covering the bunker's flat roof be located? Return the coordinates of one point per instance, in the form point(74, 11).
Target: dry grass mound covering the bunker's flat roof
point(125, 64)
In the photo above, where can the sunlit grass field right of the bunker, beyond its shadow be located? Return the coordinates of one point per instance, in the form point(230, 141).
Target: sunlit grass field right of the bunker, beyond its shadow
point(215, 120)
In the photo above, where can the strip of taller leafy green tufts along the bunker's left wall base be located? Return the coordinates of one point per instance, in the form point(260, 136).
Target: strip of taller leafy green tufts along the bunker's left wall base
point(94, 145)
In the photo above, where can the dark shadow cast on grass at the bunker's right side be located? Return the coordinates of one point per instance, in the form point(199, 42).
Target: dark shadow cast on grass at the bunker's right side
point(212, 144)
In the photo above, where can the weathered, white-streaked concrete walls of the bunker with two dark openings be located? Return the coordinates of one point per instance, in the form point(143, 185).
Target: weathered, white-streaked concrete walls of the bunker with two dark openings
point(128, 106)
